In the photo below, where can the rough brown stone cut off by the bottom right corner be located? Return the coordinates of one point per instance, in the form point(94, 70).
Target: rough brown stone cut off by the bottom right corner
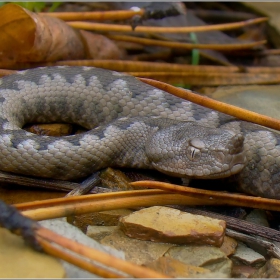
point(270, 270)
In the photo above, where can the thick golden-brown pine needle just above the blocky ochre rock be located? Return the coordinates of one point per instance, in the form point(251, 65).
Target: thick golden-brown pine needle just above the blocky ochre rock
point(147, 198)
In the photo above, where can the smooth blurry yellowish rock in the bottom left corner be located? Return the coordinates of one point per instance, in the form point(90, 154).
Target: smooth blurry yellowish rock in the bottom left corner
point(17, 260)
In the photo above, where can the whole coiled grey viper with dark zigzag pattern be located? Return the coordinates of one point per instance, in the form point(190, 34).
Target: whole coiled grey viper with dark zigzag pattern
point(129, 124)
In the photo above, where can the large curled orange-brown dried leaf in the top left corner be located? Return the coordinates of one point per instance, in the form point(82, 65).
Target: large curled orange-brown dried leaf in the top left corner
point(26, 36)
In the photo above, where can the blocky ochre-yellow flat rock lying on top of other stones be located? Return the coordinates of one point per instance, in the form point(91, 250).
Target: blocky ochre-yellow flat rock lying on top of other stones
point(164, 224)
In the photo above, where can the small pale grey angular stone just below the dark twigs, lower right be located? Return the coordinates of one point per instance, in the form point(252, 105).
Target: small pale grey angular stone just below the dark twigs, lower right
point(246, 255)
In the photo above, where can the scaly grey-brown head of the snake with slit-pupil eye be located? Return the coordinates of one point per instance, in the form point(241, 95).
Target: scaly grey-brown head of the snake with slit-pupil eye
point(194, 151)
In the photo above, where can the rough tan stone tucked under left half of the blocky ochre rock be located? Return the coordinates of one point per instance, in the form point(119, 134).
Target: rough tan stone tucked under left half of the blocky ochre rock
point(136, 251)
